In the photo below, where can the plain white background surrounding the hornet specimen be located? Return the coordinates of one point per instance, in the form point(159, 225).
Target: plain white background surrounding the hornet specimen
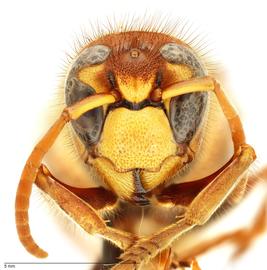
point(34, 38)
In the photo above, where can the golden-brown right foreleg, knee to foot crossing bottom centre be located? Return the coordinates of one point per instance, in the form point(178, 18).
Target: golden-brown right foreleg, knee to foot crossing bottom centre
point(199, 211)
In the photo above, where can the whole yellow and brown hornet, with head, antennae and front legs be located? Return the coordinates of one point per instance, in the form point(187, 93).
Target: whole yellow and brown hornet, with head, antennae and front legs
point(157, 132)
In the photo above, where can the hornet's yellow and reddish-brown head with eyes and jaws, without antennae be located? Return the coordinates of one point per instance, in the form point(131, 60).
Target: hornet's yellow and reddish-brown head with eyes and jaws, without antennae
point(138, 143)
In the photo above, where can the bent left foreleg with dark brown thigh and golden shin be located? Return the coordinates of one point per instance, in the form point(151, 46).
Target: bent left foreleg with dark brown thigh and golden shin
point(85, 215)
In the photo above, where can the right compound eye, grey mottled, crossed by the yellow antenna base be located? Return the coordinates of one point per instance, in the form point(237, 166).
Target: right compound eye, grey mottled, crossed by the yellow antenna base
point(186, 111)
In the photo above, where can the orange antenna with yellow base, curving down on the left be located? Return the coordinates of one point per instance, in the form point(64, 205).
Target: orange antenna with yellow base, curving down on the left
point(33, 163)
